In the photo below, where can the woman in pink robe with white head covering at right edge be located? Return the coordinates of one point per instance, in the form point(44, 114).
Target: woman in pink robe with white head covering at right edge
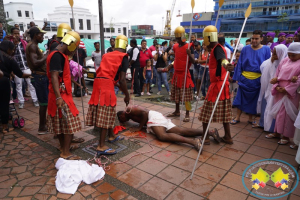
point(286, 98)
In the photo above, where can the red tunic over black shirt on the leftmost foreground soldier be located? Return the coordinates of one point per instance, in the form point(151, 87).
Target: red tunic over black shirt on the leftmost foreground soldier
point(66, 94)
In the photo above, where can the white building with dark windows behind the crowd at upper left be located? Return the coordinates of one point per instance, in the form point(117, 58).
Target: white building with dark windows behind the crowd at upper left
point(86, 24)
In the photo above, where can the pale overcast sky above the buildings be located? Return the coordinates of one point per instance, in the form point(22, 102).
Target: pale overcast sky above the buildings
point(136, 12)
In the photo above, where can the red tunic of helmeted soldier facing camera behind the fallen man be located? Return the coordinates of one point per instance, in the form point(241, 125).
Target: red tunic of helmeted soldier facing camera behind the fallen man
point(180, 66)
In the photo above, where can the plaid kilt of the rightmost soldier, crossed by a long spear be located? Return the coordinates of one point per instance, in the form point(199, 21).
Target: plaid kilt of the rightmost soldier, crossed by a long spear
point(222, 113)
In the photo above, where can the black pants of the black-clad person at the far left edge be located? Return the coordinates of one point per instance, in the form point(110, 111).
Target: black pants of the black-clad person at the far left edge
point(4, 99)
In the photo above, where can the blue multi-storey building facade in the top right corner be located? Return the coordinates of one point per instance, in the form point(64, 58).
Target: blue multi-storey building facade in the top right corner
point(264, 16)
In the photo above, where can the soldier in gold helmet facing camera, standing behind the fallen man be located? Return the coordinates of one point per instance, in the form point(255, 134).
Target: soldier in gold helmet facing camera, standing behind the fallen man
point(181, 52)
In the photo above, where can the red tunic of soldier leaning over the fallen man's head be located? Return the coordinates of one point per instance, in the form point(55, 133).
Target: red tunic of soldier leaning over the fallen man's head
point(103, 90)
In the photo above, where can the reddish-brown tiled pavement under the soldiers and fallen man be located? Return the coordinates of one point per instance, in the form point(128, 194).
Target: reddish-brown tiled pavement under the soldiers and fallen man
point(27, 163)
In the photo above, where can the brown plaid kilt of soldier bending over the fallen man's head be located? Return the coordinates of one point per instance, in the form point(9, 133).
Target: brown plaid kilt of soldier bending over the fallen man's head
point(101, 116)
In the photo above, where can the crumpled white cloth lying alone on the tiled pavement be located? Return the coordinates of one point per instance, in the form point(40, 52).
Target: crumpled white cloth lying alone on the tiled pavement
point(72, 172)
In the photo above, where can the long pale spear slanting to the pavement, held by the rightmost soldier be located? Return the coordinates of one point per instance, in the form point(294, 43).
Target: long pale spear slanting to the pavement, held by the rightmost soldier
point(247, 14)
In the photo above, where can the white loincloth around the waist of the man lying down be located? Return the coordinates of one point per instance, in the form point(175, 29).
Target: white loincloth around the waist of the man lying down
point(157, 119)
